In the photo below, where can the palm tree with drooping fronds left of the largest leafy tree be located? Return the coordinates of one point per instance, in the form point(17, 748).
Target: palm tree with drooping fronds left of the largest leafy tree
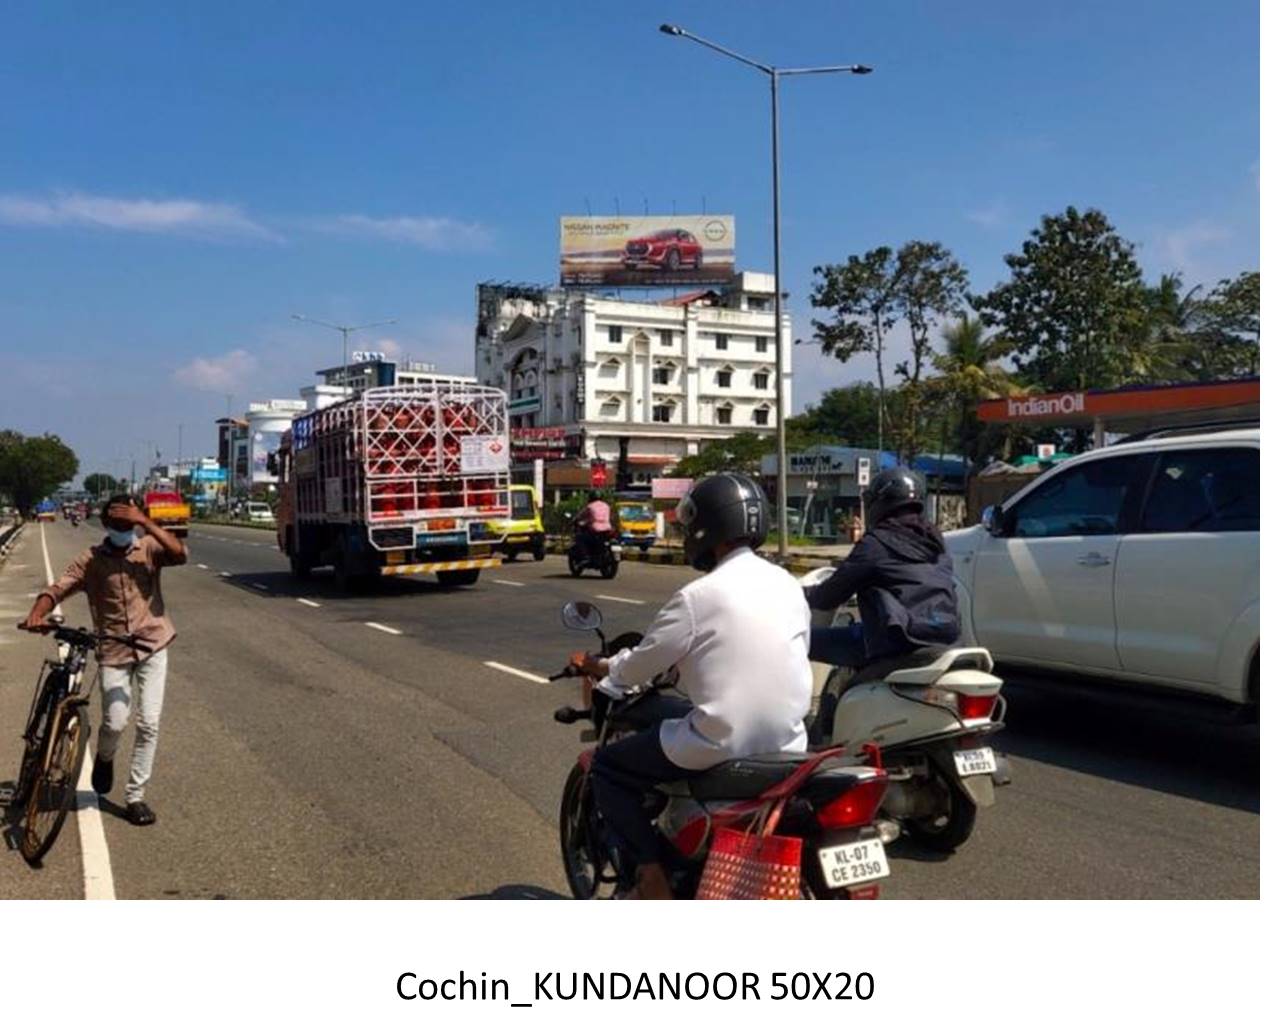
point(969, 372)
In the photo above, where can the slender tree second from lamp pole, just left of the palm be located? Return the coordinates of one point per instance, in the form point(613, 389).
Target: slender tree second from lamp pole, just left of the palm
point(931, 284)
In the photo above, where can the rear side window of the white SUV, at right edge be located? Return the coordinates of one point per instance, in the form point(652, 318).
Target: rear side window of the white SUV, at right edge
point(1203, 491)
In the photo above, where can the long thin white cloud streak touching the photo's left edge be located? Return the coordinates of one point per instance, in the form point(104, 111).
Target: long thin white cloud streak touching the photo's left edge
point(175, 216)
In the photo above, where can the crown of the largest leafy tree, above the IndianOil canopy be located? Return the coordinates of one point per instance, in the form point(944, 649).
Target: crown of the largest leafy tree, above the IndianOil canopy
point(1075, 307)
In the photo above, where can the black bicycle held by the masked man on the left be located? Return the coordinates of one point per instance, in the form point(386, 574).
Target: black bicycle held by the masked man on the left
point(56, 736)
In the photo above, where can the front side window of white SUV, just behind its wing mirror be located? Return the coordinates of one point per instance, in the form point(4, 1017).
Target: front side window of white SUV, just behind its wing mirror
point(1084, 501)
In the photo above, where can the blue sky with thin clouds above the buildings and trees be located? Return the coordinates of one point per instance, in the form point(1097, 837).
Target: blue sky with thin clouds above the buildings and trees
point(175, 183)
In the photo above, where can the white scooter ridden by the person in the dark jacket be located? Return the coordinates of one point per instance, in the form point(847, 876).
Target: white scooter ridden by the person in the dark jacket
point(932, 714)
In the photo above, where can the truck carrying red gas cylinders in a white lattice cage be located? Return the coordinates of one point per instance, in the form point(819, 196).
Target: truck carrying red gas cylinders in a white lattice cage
point(398, 481)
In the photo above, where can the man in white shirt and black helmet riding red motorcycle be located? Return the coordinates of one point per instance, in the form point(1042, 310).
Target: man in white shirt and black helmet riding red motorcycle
point(739, 638)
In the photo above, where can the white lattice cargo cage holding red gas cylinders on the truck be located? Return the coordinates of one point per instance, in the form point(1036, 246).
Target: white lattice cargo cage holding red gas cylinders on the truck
point(435, 450)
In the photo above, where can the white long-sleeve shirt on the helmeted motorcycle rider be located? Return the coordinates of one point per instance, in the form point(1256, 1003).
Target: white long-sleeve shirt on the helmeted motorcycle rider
point(740, 640)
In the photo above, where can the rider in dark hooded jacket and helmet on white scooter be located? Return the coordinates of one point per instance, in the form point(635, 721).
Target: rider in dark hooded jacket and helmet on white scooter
point(902, 576)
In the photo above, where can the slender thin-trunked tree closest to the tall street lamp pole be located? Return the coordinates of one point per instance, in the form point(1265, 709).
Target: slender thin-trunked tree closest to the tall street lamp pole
point(863, 297)
